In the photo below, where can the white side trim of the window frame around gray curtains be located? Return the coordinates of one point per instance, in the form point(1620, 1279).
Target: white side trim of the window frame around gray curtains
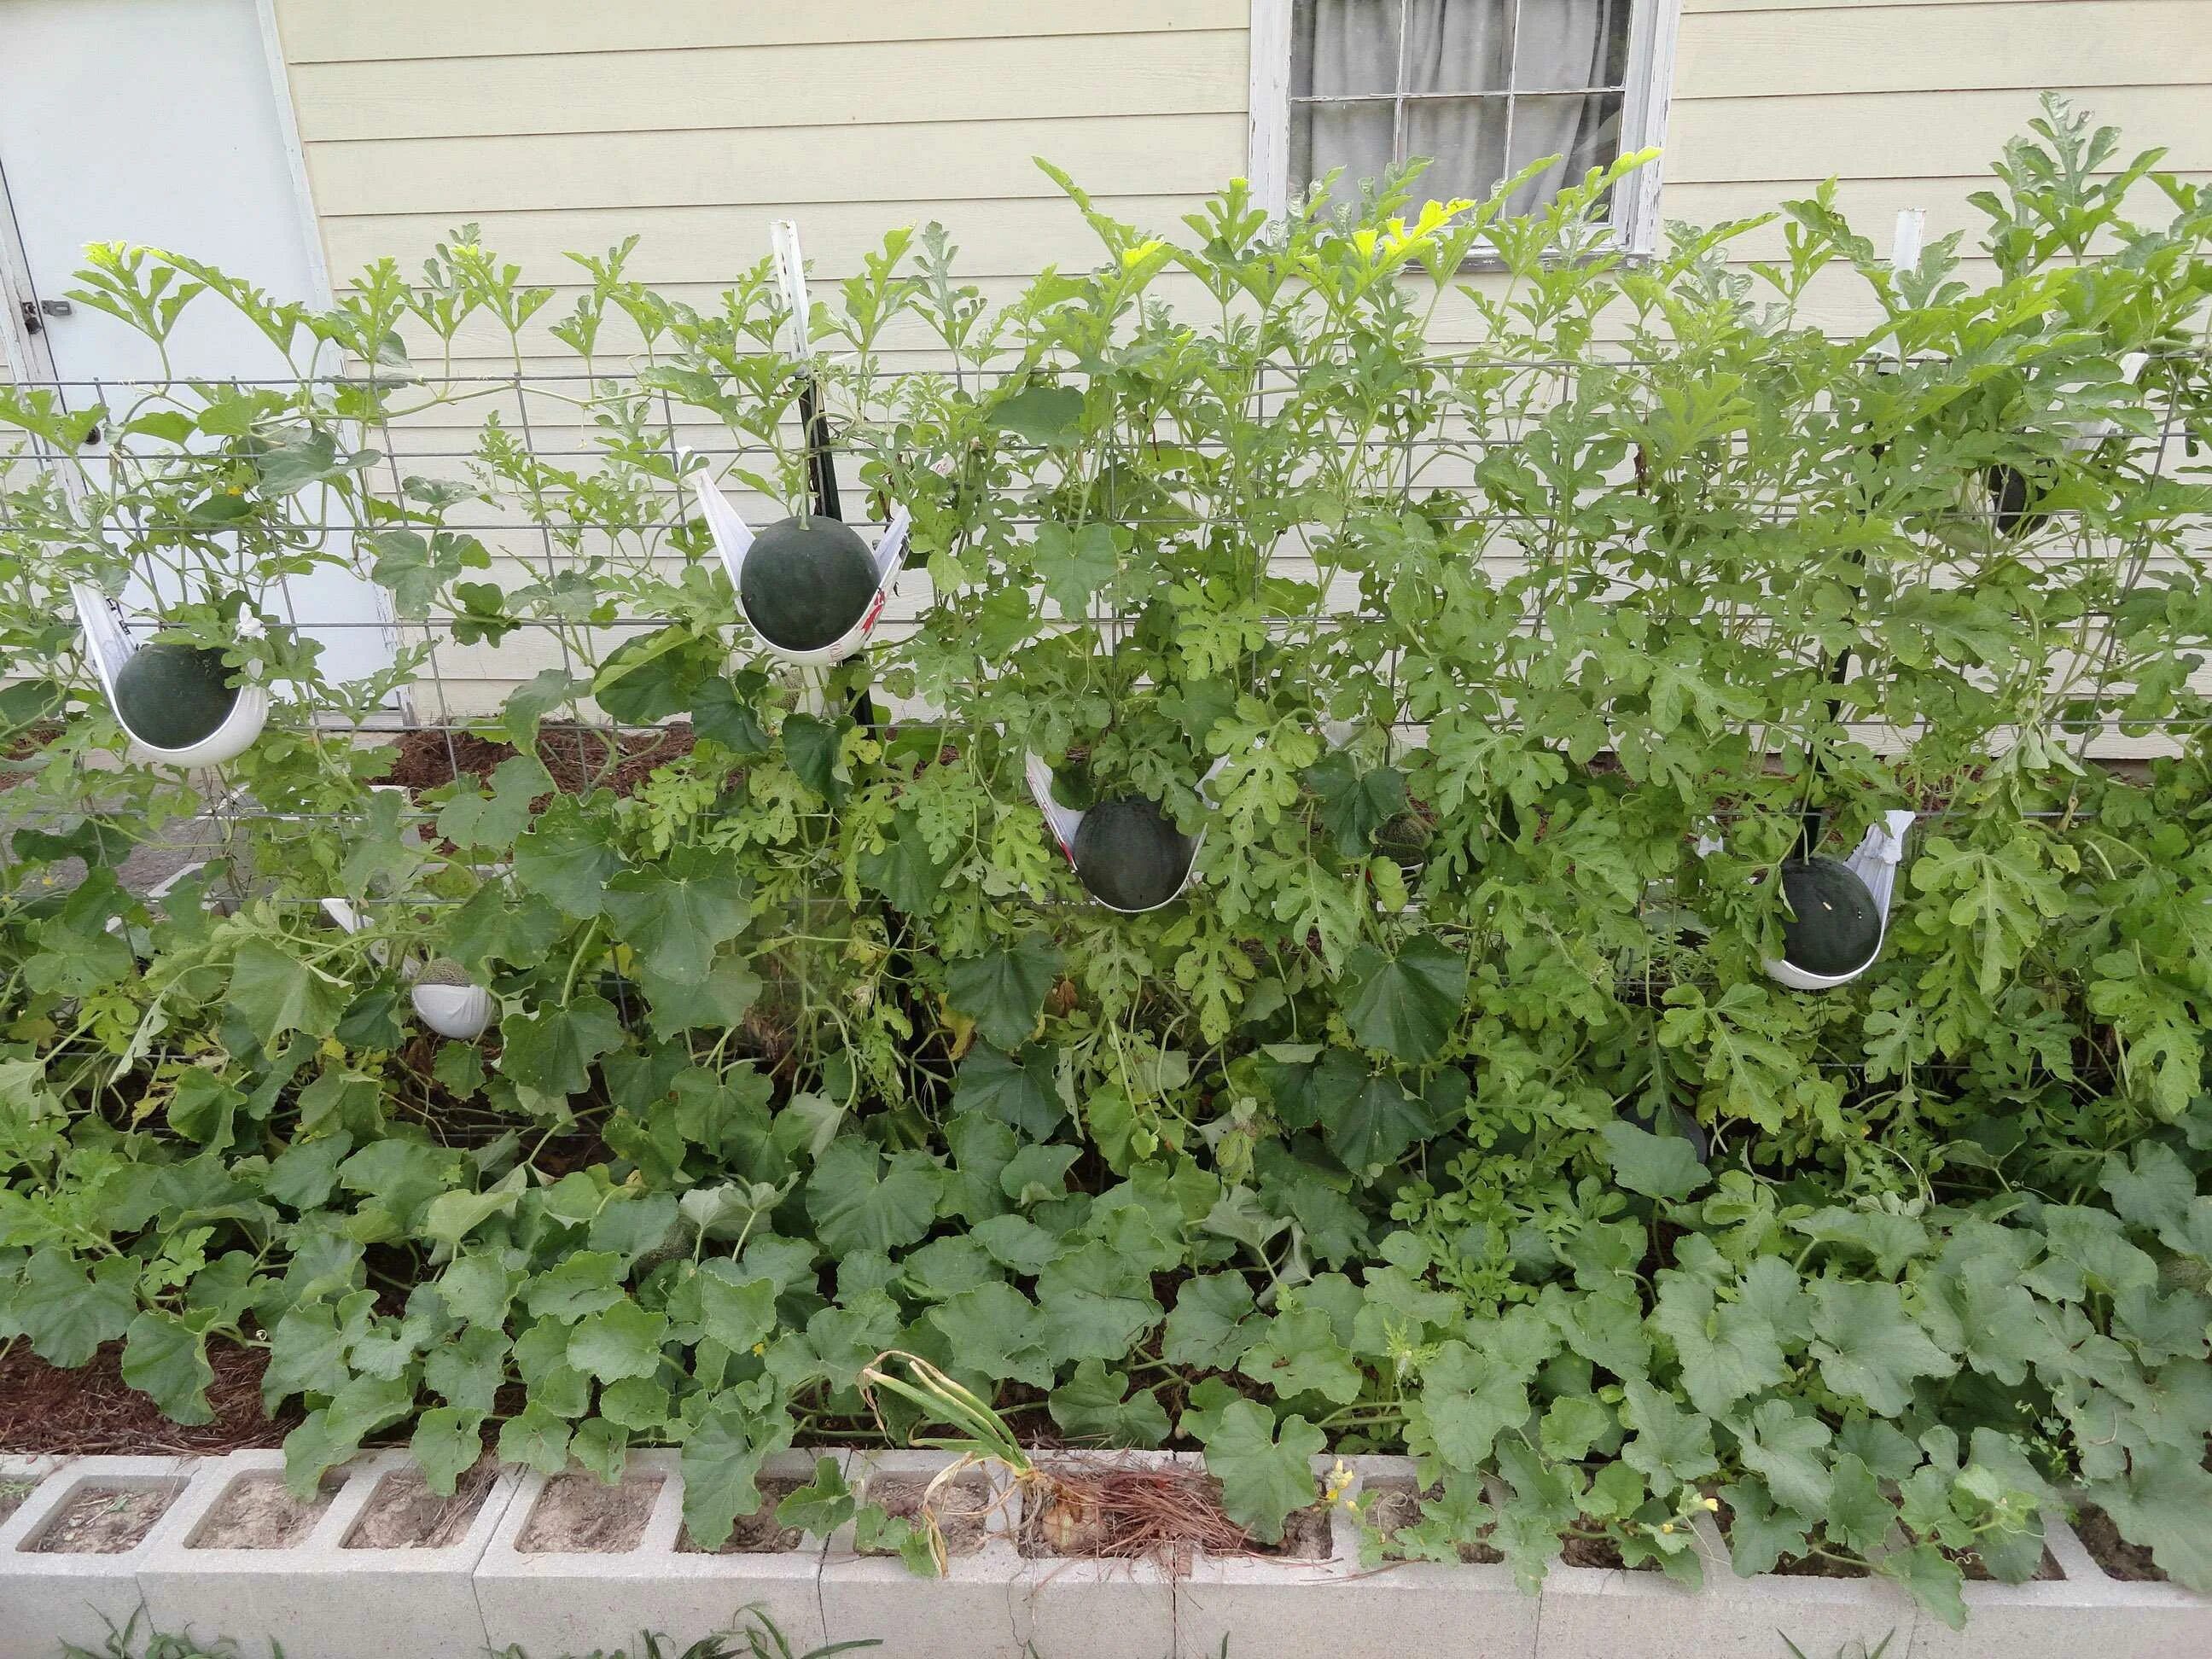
point(1645, 107)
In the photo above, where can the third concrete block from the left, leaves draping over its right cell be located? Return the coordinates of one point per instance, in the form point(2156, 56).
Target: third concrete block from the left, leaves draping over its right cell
point(574, 1600)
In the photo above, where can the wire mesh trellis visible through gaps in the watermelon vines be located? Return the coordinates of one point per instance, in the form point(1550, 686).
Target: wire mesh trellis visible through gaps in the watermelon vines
point(550, 532)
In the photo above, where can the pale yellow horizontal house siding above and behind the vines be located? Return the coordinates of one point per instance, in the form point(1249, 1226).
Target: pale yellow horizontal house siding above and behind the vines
point(570, 125)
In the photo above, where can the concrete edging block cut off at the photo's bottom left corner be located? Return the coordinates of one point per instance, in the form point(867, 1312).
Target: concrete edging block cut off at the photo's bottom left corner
point(52, 1596)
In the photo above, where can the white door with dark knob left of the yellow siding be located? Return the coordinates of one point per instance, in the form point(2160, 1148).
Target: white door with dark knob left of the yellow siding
point(158, 123)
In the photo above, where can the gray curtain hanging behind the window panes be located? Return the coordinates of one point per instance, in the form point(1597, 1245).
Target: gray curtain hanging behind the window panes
point(1470, 52)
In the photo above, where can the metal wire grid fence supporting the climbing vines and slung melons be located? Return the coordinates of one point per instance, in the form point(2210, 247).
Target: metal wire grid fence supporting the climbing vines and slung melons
point(554, 532)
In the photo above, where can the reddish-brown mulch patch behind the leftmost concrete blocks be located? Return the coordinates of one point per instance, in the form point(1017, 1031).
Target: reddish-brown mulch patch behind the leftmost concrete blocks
point(92, 1410)
